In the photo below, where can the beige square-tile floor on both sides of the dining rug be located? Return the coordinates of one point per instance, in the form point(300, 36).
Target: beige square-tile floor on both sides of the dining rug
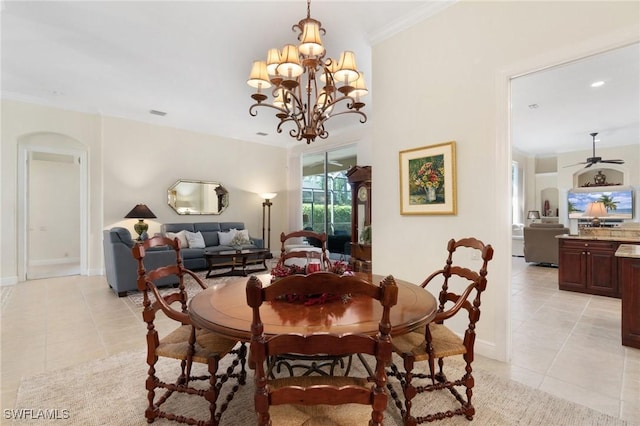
point(565, 343)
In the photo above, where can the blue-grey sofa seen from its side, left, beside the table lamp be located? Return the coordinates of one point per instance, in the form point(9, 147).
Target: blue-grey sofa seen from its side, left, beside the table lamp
point(121, 268)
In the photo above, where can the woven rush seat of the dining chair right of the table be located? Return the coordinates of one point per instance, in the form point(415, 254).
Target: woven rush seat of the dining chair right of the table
point(445, 343)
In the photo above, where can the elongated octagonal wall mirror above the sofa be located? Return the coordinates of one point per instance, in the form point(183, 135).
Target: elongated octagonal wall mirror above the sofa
point(197, 197)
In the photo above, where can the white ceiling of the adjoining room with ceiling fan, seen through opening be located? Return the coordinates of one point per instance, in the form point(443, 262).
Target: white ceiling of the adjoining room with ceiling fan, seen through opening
point(555, 110)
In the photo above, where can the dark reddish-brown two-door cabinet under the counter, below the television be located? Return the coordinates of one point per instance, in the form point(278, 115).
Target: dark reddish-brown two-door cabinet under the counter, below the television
point(588, 266)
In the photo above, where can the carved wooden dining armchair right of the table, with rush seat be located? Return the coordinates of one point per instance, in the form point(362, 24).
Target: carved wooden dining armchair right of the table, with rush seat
point(460, 292)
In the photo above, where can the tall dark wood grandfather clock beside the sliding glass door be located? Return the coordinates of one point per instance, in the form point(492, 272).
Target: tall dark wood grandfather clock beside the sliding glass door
point(360, 180)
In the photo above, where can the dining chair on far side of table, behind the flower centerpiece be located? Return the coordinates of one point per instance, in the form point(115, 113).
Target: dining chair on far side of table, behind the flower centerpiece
point(298, 254)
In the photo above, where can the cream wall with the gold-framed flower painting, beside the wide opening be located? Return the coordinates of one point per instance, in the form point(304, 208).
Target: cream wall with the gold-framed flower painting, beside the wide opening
point(447, 79)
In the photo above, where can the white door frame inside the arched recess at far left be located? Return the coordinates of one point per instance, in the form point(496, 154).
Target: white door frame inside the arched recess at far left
point(24, 152)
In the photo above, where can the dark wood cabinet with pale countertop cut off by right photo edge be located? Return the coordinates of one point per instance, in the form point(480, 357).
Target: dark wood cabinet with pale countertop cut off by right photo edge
point(628, 256)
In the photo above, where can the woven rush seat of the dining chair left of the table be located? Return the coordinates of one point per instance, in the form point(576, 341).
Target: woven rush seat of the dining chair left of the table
point(176, 344)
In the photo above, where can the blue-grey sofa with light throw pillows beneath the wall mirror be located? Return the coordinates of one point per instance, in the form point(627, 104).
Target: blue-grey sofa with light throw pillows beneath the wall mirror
point(193, 258)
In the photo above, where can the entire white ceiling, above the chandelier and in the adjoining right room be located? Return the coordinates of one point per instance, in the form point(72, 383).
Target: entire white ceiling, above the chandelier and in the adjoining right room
point(191, 60)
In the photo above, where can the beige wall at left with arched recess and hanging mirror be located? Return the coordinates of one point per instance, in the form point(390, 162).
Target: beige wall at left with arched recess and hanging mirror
point(132, 162)
